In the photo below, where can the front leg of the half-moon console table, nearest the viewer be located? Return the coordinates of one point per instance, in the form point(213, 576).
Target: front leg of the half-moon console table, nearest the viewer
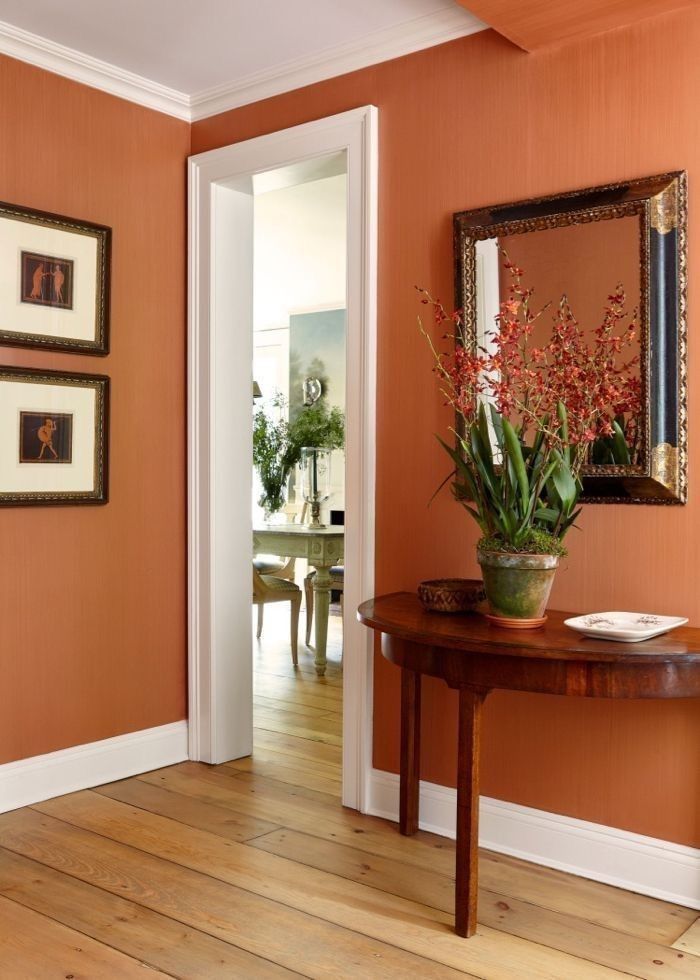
point(470, 704)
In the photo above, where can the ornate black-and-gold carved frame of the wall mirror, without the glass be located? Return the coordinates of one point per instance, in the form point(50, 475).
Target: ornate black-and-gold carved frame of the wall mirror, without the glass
point(661, 203)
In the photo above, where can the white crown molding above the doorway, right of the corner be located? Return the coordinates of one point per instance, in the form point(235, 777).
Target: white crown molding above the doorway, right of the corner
point(383, 45)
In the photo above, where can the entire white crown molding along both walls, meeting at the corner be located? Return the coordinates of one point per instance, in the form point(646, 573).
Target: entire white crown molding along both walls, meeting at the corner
point(383, 45)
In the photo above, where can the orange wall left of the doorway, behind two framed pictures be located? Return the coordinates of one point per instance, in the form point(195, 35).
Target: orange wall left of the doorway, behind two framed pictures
point(92, 599)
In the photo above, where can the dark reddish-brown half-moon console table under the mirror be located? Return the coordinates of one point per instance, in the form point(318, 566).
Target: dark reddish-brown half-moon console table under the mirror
point(475, 658)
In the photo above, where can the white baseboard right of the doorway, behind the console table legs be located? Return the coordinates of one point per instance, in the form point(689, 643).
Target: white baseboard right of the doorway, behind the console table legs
point(617, 857)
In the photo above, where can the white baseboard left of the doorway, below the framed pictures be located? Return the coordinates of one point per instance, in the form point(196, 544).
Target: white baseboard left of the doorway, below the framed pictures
point(82, 766)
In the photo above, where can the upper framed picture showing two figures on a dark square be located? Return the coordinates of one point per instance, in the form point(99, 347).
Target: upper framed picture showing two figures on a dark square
point(54, 282)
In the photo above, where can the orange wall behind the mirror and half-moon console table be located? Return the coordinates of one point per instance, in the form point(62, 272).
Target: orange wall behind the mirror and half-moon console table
point(479, 122)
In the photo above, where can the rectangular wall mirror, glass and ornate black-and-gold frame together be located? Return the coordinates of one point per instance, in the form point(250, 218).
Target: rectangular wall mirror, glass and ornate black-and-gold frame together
point(582, 245)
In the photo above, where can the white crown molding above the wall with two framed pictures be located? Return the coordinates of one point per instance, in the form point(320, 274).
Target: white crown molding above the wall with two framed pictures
point(79, 67)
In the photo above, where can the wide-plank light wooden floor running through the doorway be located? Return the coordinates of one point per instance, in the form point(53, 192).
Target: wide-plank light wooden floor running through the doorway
point(253, 869)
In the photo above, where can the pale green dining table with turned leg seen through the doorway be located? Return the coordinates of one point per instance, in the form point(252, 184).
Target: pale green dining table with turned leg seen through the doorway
point(322, 547)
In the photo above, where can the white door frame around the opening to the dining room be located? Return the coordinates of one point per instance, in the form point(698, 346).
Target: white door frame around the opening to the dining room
point(219, 433)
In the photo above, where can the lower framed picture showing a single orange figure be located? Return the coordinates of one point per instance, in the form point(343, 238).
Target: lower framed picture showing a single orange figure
point(53, 437)
